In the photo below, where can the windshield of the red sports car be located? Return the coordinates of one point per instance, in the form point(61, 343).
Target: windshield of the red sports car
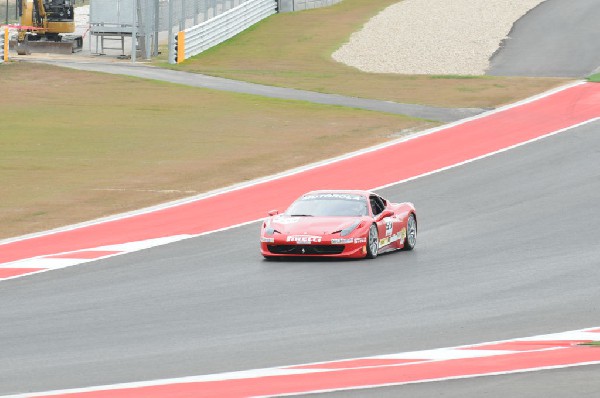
point(329, 205)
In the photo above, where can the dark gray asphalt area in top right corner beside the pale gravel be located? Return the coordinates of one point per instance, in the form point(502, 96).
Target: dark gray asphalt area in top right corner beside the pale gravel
point(559, 38)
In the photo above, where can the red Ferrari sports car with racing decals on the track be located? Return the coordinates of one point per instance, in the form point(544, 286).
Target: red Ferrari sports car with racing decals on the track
point(352, 224)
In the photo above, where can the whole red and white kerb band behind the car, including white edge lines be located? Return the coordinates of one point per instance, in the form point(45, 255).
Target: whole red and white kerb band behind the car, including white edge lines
point(398, 161)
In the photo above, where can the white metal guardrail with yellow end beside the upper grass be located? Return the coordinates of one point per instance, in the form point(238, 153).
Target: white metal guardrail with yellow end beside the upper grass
point(216, 30)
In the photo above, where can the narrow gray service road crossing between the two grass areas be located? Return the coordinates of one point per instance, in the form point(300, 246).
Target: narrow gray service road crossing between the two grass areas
point(218, 83)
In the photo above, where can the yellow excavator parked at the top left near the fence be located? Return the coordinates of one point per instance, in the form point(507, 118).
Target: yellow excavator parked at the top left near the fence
point(43, 26)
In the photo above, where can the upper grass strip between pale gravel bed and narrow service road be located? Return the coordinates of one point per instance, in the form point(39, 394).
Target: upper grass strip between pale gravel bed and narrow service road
point(294, 50)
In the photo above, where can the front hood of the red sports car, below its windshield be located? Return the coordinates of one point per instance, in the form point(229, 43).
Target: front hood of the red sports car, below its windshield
point(311, 225)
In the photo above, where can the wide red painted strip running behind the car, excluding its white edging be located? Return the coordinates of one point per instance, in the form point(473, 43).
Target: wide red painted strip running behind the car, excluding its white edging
point(394, 163)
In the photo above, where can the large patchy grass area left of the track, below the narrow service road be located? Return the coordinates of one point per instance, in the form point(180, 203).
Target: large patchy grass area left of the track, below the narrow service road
point(77, 146)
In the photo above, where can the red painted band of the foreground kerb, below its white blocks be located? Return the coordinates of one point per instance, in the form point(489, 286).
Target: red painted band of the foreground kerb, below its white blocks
point(358, 378)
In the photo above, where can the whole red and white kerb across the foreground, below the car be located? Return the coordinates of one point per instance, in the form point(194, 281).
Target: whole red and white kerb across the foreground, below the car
point(551, 351)
